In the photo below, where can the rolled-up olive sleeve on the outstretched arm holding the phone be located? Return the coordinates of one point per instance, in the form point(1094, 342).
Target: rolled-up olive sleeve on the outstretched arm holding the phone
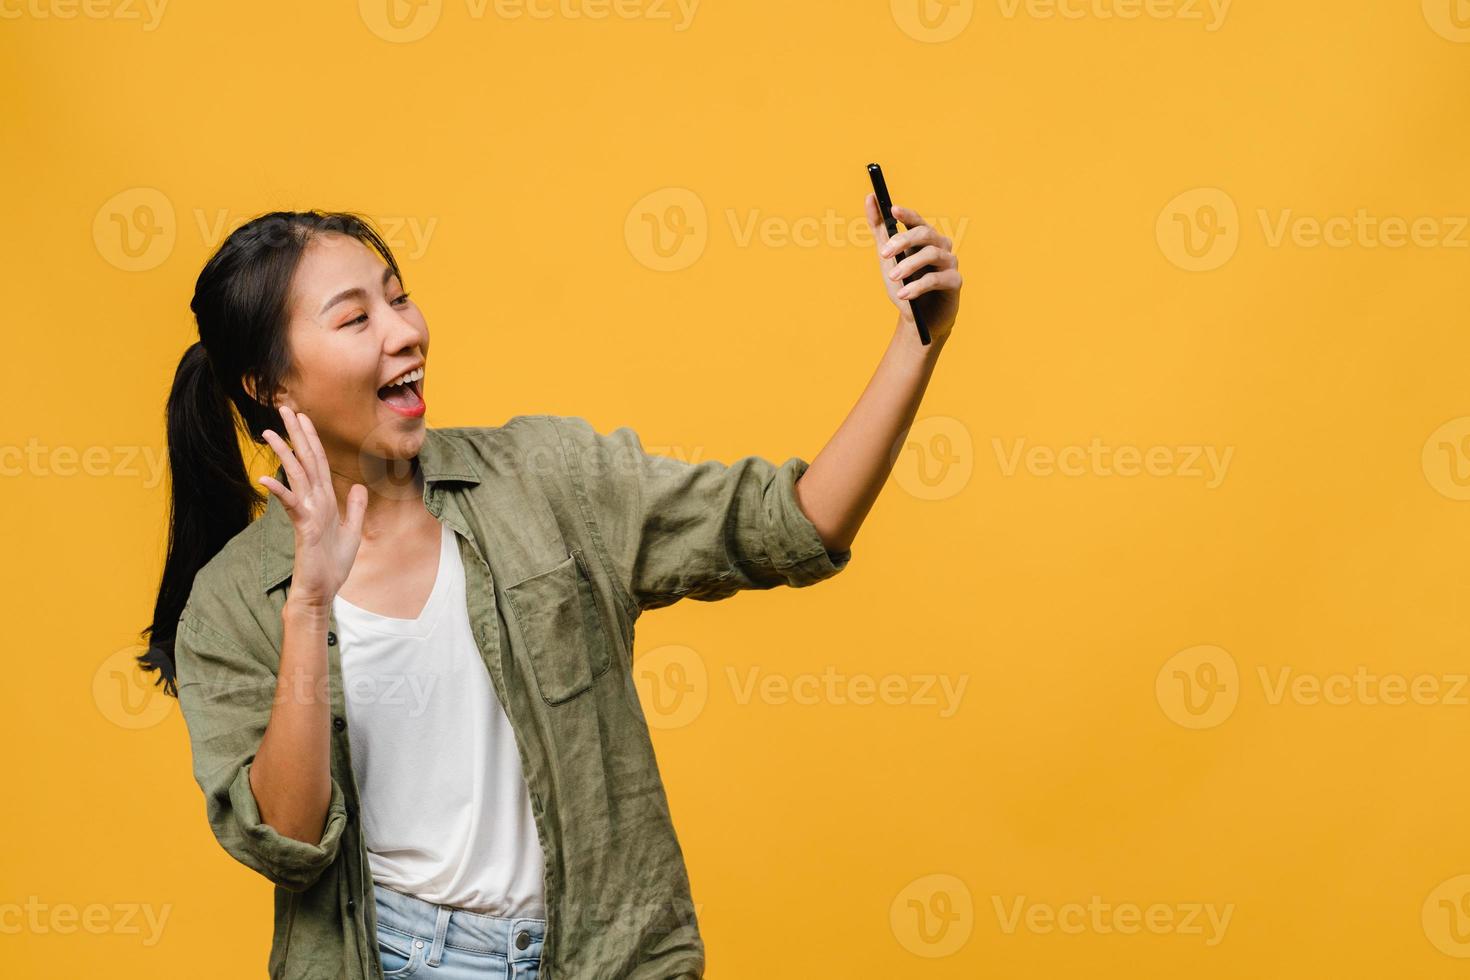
point(700, 531)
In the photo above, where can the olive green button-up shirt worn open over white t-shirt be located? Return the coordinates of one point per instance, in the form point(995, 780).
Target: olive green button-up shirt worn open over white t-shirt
point(567, 537)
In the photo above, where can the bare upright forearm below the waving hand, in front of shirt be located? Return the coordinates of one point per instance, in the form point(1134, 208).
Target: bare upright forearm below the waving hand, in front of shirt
point(292, 772)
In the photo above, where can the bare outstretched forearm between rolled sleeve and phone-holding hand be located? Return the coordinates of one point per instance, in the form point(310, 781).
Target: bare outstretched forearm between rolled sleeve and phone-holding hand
point(845, 480)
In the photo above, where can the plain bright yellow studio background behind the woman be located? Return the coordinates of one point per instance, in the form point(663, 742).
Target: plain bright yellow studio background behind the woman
point(827, 840)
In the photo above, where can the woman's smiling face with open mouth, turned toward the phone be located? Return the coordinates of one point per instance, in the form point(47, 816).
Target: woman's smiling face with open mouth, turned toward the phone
point(354, 330)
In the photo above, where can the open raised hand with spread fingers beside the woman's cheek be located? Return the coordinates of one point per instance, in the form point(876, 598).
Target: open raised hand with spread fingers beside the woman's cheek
point(326, 544)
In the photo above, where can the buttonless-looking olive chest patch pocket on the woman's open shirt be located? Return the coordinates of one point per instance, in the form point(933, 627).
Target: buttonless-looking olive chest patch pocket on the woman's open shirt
point(567, 641)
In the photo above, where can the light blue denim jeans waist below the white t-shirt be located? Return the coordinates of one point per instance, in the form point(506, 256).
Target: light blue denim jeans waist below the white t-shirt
point(442, 943)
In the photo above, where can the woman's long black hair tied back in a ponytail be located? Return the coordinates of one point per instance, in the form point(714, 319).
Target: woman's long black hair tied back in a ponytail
point(242, 306)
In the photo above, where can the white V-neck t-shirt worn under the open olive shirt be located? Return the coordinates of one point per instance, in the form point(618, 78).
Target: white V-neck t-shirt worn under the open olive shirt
point(446, 812)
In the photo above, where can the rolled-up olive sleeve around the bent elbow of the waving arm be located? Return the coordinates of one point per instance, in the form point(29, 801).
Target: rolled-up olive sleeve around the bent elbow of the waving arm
point(226, 697)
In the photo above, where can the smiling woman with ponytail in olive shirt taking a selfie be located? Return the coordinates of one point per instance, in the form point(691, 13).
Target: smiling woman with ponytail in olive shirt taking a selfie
point(461, 603)
